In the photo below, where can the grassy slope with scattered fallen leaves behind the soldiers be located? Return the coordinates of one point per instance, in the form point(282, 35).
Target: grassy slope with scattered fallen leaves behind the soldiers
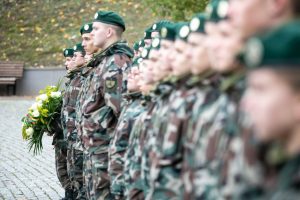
point(36, 31)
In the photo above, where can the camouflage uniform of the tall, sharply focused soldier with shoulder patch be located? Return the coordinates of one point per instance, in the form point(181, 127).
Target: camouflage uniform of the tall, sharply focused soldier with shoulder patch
point(100, 112)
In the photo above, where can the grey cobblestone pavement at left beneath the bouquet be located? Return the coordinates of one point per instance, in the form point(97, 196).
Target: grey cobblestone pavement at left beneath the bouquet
point(22, 175)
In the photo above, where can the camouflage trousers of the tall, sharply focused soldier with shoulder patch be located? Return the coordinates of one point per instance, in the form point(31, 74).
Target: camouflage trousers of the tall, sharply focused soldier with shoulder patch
point(96, 176)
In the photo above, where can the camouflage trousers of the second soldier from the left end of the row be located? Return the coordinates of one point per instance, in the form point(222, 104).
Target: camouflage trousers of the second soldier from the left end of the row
point(75, 171)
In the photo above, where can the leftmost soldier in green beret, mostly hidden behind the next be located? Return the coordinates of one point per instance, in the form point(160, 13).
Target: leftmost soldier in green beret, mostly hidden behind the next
point(60, 144)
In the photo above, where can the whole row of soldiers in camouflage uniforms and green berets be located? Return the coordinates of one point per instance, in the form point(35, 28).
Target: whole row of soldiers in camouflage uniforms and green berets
point(204, 109)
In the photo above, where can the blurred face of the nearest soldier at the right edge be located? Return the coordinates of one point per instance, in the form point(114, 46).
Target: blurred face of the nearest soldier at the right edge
point(272, 104)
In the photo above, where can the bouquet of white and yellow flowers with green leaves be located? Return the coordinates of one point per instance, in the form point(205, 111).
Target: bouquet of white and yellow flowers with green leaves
point(41, 116)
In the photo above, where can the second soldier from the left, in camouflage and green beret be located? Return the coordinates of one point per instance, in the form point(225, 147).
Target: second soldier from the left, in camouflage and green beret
point(74, 157)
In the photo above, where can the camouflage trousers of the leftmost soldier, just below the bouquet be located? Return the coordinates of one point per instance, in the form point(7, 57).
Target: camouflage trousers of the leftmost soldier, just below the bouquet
point(61, 164)
